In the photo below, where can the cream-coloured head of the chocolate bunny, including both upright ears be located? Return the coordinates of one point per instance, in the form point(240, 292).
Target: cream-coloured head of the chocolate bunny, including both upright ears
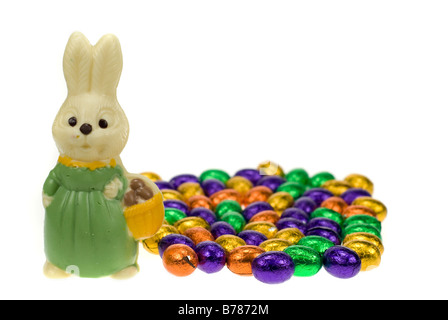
point(91, 126)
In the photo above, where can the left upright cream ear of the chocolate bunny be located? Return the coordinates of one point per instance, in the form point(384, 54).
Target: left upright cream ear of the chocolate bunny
point(77, 63)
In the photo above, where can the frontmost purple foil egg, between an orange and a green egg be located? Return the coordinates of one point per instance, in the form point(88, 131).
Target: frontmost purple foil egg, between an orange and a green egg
point(273, 267)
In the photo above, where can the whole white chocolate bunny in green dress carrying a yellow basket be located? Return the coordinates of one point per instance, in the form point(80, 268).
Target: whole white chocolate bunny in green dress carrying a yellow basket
point(89, 230)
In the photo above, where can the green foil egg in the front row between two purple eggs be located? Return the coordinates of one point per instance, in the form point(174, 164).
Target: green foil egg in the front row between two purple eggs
point(307, 261)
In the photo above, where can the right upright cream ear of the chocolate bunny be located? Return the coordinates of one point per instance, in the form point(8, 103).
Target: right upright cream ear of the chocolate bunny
point(107, 65)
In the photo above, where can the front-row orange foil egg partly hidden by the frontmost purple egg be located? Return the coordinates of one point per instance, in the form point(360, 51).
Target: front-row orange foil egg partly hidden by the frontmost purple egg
point(239, 260)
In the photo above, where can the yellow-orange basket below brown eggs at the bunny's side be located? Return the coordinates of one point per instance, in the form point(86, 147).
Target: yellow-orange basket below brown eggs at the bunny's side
point(144, 219)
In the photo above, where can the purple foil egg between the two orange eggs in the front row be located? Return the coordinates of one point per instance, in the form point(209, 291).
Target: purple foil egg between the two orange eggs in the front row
point(211, 256)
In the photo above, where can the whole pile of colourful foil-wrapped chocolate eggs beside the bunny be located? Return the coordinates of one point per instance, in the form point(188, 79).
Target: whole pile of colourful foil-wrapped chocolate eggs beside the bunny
point(269, 224)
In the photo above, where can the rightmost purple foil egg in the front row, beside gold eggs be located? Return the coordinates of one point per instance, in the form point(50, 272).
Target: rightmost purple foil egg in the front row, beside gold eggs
point(341, 262)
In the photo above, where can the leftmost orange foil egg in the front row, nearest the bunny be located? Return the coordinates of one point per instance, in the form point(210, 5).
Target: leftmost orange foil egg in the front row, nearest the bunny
point(180, 260)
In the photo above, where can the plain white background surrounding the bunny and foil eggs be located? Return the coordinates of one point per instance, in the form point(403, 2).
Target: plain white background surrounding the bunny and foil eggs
point(339, 86)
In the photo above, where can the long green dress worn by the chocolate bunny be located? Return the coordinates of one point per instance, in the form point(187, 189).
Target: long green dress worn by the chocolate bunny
point(86, 233)
